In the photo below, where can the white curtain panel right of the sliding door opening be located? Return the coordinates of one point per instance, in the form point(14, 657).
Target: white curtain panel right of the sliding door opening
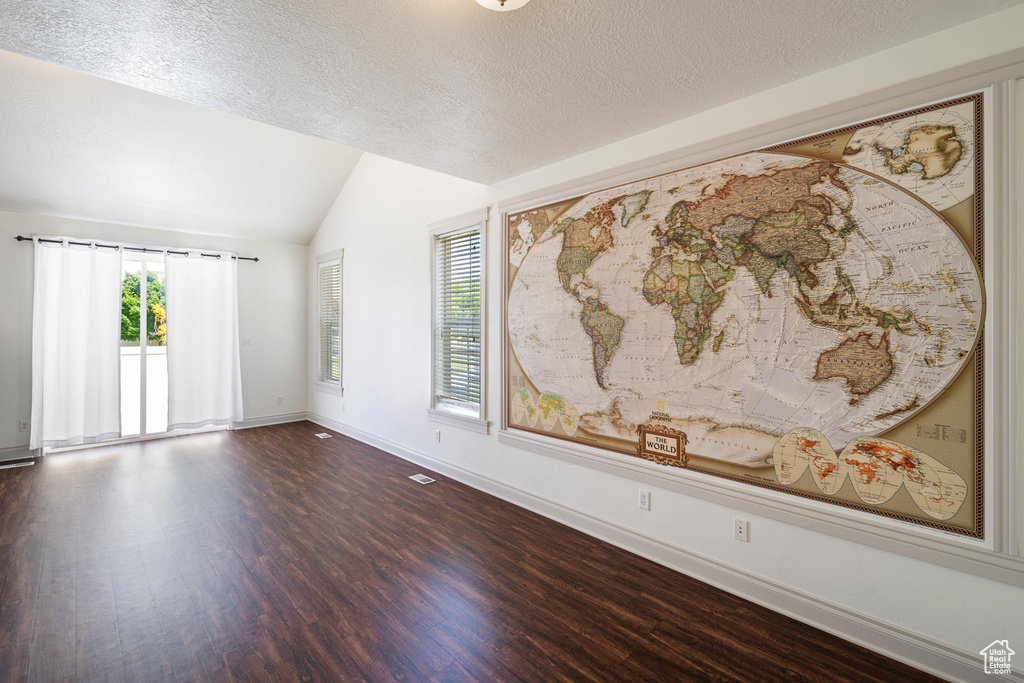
point(204, 380)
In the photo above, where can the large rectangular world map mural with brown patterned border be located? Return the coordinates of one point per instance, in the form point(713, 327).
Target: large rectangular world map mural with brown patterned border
point(805, 318)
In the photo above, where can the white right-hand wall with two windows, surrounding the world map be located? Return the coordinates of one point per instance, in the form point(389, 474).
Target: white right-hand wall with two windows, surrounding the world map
point(380, 220)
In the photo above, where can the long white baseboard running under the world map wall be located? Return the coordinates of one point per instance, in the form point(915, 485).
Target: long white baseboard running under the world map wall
point(850, 625)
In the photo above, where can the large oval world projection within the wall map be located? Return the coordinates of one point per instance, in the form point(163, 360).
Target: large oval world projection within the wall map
point(750, 297)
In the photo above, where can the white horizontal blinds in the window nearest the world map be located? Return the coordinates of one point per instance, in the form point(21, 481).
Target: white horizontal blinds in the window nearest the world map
point(457, 319)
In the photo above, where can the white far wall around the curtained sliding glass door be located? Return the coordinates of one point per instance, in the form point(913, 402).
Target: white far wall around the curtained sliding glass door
point(272, 314)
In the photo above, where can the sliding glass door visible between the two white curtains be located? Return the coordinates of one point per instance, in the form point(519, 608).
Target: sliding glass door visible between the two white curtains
point(144, 347)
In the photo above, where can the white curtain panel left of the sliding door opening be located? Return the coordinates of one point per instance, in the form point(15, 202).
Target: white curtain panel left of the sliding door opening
point(76, 339)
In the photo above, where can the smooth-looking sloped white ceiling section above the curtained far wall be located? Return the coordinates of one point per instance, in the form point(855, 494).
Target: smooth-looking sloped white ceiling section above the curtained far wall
point(78, 146)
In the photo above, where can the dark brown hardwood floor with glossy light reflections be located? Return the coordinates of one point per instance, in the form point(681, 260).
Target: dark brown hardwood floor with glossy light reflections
point(269, 554)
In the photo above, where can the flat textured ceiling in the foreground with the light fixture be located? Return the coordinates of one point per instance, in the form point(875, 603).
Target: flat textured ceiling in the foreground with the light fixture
point(451, 87)
